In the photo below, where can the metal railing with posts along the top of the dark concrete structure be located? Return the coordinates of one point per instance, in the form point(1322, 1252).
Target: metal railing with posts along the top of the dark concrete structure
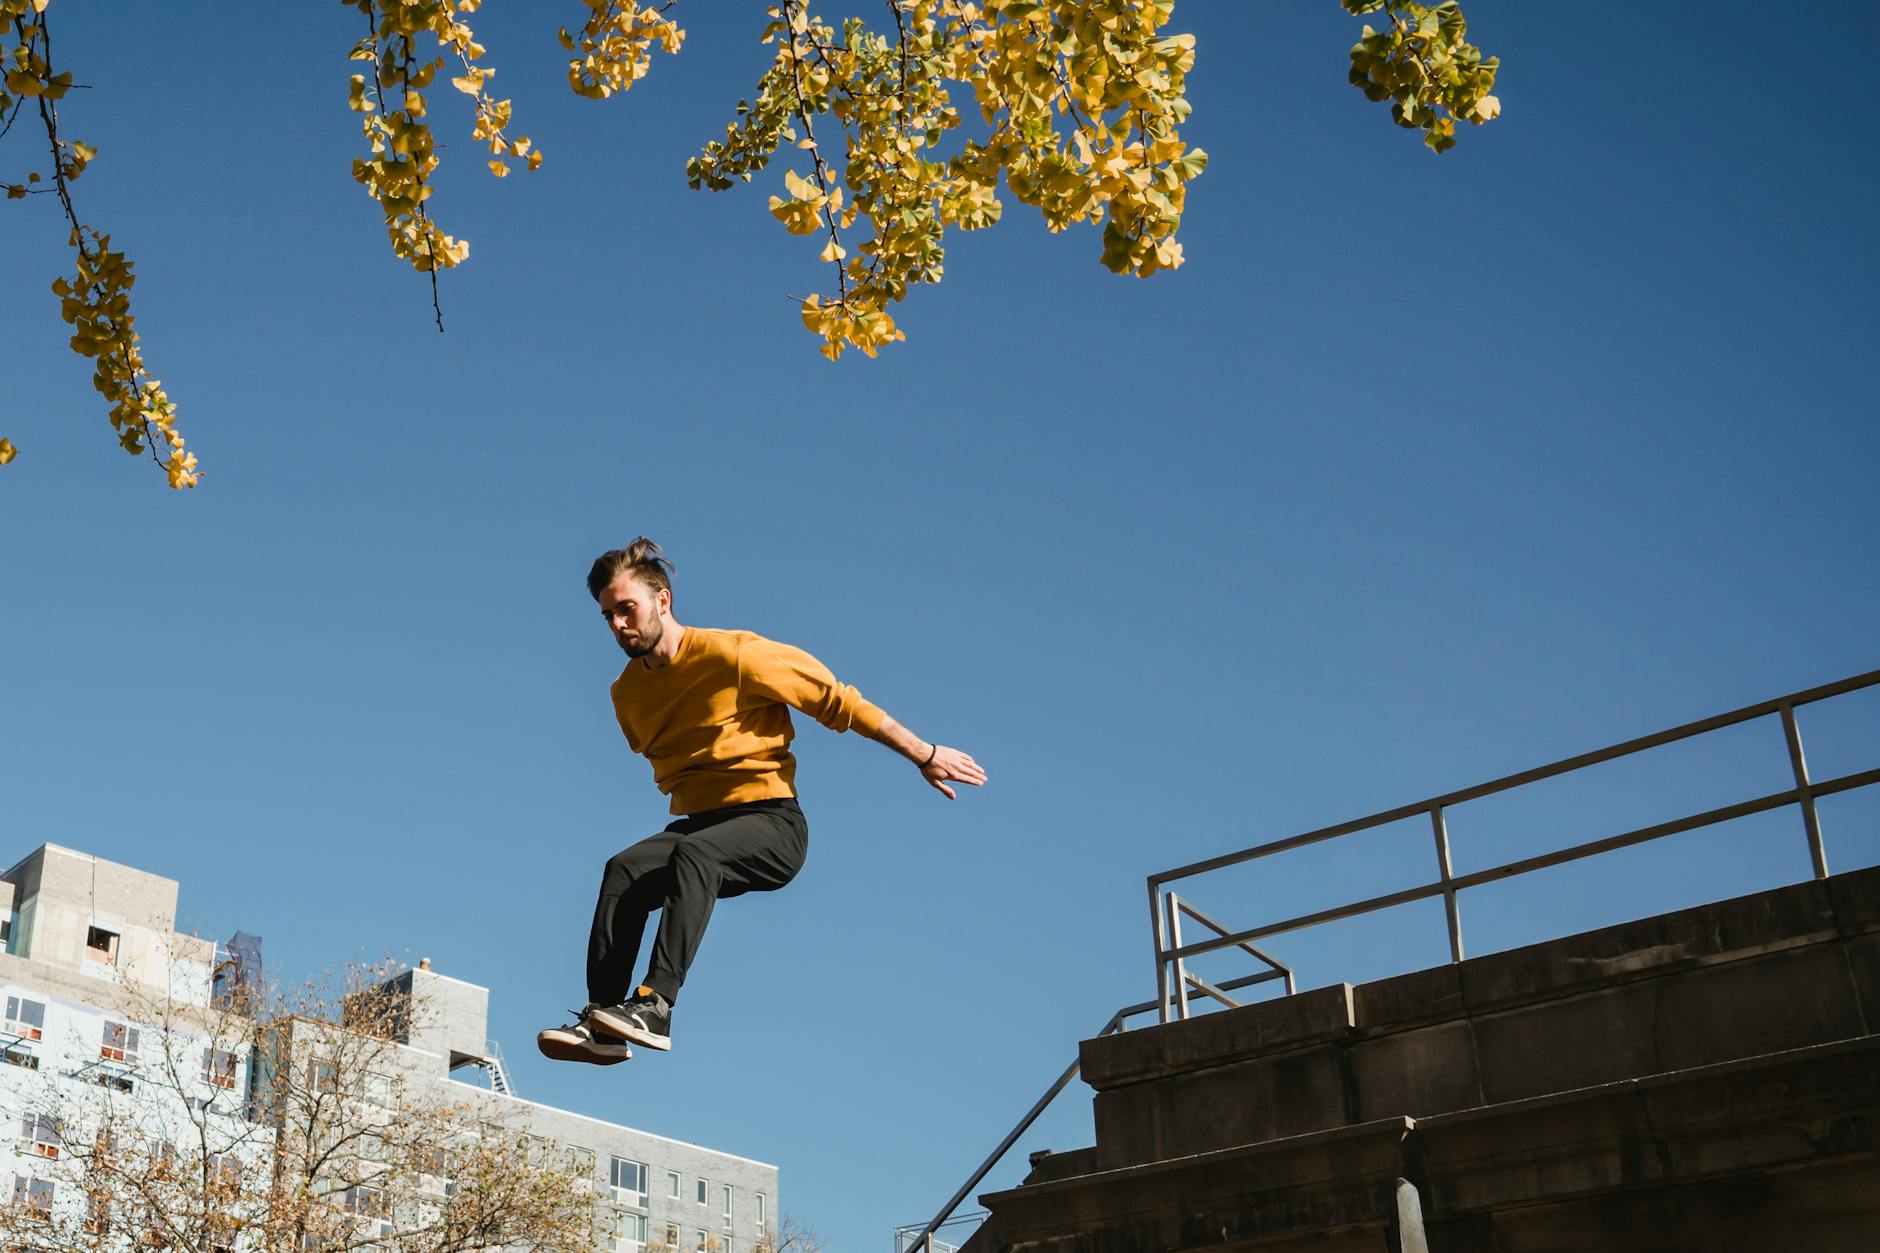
point(1165, 915)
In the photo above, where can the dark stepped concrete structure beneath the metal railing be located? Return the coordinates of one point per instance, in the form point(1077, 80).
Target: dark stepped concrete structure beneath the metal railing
point(1699, 1081)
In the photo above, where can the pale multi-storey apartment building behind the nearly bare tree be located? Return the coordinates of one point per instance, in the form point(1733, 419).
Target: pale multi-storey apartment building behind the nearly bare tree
point(91, 947)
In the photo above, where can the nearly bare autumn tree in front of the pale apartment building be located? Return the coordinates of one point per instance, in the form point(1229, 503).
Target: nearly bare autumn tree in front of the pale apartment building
point(274, 1122)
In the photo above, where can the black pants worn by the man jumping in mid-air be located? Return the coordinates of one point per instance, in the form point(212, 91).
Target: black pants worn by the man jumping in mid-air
point(683, 872)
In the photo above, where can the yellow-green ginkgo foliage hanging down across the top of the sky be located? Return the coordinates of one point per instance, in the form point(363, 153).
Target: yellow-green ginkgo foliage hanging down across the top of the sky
point(1082, 103)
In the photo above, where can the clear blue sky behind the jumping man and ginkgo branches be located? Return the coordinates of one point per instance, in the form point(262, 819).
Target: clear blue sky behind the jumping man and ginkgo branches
point(1420, 471)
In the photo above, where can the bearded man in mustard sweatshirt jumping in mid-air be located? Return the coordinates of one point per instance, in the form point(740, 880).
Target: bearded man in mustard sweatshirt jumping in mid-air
point(712, 712)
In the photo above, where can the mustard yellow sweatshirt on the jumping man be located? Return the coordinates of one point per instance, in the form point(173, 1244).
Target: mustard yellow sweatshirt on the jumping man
point(715, 722)
